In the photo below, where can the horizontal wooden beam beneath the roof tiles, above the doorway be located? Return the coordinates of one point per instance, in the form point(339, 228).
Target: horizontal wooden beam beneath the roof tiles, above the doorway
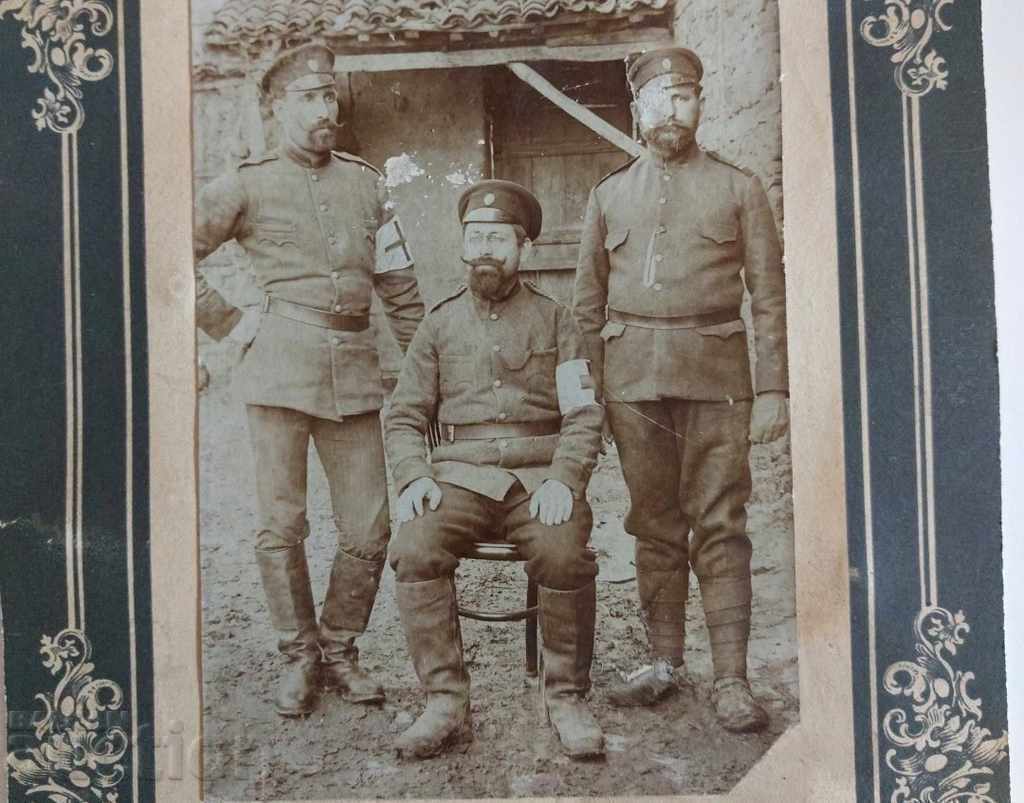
point(442, 60)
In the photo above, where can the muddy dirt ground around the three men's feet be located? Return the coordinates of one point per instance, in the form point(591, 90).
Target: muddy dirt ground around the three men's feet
point(345, 751)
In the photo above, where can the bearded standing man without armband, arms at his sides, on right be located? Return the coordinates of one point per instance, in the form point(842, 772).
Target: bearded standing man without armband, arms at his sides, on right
point(658, 297)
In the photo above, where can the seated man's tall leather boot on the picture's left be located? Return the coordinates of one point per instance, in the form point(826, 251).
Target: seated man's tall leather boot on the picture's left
point(431, 619)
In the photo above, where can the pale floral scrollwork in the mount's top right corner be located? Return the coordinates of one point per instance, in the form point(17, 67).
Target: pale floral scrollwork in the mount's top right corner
point(908, 27)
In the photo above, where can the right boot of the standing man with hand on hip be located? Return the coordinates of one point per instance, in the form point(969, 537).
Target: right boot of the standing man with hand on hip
point(351, 596)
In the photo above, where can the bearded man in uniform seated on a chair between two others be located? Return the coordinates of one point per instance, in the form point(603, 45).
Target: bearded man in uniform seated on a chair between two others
point(501, 370)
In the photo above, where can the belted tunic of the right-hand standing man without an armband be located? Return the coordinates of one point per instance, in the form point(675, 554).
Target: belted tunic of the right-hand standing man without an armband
point(670, 241)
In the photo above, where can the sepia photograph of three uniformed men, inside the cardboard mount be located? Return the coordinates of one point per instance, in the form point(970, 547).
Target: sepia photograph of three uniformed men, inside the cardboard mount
point(495, 482)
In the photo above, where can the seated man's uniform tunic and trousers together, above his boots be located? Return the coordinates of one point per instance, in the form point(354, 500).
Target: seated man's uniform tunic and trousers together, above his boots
point(494, 363)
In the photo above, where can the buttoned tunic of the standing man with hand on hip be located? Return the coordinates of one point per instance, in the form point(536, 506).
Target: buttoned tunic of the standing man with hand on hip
point(311, 232)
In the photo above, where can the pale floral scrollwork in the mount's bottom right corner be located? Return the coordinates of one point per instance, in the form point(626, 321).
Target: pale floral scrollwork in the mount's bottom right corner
point(944, 755)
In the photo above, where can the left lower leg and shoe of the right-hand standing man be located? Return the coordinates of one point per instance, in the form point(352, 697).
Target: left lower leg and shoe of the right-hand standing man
point(663, 609)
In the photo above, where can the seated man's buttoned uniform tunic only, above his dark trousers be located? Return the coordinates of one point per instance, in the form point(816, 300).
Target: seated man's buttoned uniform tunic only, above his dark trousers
point(476, 362)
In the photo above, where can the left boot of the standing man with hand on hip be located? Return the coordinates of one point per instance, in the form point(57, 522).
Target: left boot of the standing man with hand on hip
point(286, 582)
